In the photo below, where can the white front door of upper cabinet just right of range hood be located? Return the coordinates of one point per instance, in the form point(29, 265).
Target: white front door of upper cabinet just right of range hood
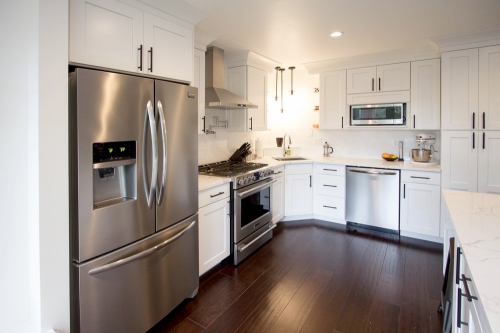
point(257, 94)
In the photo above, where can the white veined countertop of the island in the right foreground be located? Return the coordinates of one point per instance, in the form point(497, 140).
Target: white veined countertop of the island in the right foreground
point(476, 217)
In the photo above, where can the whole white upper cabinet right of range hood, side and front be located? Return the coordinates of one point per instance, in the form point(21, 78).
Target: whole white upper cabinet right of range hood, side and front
point(251, 84)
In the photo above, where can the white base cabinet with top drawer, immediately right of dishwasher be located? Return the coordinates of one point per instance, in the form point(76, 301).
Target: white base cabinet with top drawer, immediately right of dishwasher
point(420, 202)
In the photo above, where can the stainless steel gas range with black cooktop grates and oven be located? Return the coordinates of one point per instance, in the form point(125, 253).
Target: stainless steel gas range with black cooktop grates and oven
point(251, 193)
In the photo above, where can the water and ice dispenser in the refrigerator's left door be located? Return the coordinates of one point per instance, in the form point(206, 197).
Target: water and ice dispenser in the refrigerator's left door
point(115, 173)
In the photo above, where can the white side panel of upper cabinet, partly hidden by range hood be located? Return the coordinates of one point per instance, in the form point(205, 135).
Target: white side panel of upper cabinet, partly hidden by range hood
point(237, 84)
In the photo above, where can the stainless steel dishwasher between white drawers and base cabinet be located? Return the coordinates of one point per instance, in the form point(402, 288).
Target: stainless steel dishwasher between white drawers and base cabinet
point(373, 198)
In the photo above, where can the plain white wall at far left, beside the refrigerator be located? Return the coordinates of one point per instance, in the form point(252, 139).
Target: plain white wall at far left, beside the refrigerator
point(34, 251)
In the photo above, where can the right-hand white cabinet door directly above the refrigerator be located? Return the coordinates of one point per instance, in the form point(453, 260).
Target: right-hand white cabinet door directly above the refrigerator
point(168, 49)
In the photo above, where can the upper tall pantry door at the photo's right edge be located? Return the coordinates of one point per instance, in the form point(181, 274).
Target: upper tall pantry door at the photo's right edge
point(489, 87)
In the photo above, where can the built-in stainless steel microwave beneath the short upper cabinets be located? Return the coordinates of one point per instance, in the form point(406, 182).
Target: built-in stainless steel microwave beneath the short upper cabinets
point(379, 114)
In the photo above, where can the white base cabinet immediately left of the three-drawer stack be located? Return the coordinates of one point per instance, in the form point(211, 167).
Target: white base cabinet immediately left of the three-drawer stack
point(298, 189)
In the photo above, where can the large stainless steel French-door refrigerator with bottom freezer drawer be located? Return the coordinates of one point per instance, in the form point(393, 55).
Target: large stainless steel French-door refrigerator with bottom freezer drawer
point(133, 201)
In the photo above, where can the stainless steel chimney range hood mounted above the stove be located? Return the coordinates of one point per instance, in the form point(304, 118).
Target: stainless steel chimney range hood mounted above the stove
point(216, 97)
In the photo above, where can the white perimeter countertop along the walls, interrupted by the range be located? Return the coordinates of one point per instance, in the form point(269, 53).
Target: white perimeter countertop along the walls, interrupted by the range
point(205, 182)
